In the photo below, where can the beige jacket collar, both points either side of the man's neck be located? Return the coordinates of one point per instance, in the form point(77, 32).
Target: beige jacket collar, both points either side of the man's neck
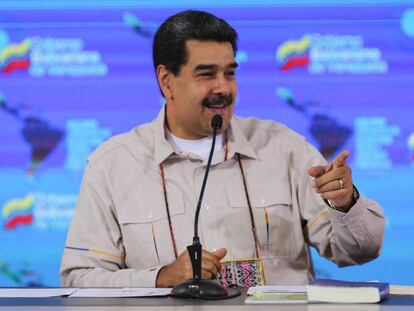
point(237, 141)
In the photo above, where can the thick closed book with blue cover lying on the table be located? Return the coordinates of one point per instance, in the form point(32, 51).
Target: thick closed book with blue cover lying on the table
point(327, 290)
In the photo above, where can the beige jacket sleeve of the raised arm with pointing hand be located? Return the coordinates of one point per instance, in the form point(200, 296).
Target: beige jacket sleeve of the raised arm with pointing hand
point(348, 238)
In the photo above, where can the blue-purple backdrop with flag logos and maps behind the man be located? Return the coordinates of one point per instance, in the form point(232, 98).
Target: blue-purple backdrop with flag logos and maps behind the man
point(70, 78)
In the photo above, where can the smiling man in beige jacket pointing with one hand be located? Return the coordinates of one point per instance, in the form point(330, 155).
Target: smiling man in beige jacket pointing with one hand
point(269, 195)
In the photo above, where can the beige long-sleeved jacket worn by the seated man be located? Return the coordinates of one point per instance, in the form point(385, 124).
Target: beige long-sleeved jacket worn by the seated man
point(120, 235)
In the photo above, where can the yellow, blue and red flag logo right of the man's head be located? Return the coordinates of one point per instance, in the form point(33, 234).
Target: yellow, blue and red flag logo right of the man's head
point(293, 53)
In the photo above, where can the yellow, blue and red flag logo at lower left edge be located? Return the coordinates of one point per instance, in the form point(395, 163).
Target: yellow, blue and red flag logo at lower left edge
point(18, 212)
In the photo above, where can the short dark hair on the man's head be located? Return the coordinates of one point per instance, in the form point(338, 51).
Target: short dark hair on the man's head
point(169, 45)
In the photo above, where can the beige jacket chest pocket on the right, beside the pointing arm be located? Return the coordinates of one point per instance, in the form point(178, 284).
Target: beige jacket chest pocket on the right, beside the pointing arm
point(273, 216)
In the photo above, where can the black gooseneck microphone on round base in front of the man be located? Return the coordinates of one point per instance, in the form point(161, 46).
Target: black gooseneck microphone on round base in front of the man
point(198, 287)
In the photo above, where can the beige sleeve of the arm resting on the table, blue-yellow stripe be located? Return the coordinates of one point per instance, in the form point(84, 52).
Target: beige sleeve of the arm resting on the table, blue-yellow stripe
point(94, 253)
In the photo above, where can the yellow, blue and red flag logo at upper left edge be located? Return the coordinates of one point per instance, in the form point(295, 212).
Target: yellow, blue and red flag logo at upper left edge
point(15, 56)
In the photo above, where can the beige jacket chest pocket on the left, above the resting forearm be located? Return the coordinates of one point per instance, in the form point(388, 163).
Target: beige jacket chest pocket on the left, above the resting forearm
point(145, 228)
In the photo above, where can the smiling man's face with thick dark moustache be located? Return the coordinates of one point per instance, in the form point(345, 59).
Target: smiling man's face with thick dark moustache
point(205, 86)
